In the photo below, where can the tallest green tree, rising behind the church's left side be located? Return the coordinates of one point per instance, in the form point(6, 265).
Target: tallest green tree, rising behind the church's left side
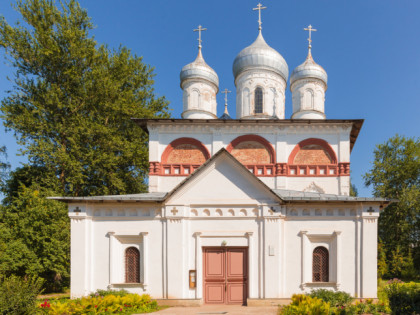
point(72, 101)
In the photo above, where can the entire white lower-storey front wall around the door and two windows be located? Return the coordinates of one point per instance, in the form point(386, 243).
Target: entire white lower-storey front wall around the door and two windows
point(279, 250)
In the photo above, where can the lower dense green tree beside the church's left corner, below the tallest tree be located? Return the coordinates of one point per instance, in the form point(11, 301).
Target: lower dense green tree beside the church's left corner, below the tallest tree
point(35, 238)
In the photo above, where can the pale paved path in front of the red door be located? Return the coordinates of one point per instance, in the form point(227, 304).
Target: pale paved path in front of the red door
point(219, 310)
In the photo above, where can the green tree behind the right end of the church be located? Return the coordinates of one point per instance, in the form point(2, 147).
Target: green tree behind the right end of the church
point(396, 174)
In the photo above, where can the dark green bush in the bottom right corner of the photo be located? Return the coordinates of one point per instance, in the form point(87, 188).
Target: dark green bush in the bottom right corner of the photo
point(404, 298)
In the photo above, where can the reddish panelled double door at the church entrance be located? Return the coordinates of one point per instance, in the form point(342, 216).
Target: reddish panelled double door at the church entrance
point(225, 275)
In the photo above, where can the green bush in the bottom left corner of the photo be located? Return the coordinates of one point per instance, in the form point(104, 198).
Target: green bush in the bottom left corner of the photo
point(18, 296)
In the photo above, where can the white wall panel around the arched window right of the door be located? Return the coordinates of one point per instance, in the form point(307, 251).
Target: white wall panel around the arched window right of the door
point(304, 235)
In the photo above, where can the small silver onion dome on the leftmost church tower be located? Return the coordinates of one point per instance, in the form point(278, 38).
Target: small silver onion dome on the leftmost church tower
point(199, 69)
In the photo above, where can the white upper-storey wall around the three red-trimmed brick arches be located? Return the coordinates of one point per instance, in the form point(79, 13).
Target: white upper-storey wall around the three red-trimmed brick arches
point(283, 142)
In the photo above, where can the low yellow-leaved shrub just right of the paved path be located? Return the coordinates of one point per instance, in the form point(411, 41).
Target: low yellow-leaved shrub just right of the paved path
point(304, 304)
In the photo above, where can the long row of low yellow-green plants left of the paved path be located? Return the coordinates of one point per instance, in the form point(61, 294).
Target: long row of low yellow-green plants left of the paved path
point(108, 304)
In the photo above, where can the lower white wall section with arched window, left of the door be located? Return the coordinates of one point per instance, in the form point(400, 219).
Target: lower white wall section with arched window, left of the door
point(99, 239)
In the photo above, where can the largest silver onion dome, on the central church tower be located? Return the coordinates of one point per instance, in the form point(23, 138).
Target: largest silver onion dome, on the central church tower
point(260, 56)
